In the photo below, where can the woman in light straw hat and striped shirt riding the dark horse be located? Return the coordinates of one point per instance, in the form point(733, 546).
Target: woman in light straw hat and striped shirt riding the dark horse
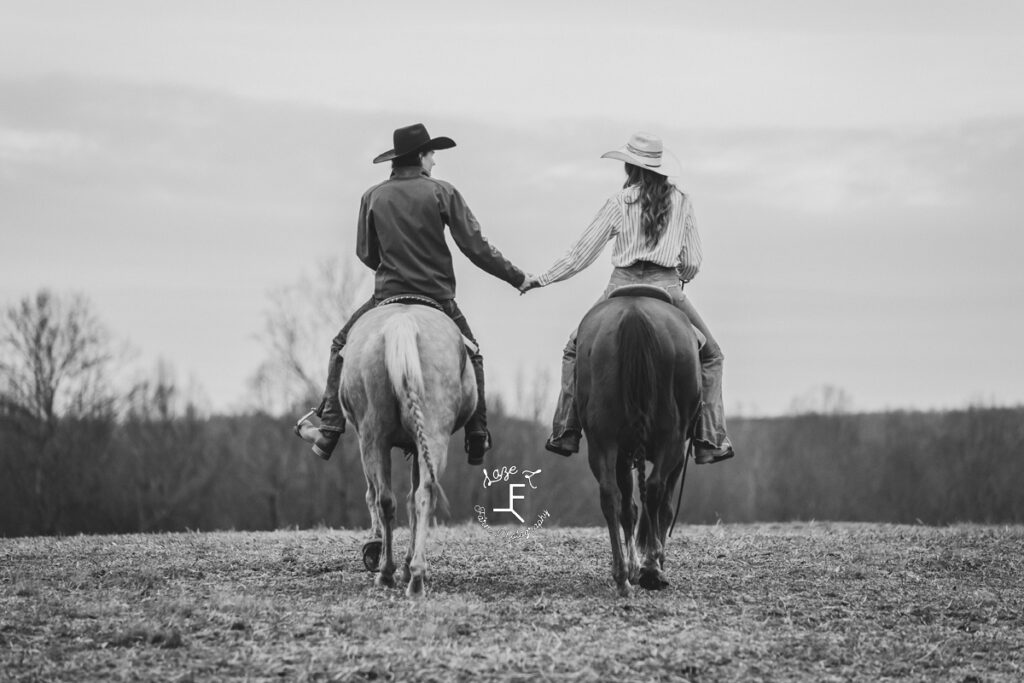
point(656, 243)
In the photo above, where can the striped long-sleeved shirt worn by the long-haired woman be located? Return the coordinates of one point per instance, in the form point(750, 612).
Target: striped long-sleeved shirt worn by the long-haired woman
point(620, 220)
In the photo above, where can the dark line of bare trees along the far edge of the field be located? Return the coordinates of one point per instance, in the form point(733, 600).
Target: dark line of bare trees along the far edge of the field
point(79, 455)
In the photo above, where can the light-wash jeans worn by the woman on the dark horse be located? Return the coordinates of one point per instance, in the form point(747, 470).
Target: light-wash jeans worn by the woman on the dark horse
point(711, 422)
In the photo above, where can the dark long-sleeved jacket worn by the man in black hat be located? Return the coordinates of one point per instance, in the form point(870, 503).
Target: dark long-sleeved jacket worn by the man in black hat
point(402, 237)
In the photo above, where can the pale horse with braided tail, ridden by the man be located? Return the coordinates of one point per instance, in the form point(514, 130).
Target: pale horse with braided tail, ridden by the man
point(407, 382)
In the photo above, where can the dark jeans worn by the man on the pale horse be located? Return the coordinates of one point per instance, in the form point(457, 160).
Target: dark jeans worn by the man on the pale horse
point(330, 412)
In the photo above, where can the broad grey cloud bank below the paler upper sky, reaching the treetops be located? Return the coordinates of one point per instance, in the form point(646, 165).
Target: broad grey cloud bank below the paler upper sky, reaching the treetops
point(180, 209)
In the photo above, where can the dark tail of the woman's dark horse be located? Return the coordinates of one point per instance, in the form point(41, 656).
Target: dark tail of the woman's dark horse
point(637, 380)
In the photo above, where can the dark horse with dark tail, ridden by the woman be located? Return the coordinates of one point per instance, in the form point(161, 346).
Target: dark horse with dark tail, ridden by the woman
point(638, 391)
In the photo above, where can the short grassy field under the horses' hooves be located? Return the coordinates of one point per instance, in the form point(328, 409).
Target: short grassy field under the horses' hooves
point(814, 603)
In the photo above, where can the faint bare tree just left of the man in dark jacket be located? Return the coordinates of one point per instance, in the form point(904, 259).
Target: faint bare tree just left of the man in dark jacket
point(298, 327)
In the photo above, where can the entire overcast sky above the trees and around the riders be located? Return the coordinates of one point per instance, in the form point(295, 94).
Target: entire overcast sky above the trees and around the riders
point(857, 169)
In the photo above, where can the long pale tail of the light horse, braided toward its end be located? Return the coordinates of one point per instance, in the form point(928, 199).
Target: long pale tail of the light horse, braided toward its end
point(402, 358)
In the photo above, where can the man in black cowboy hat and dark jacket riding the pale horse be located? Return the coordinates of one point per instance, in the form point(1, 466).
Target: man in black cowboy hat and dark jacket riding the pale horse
point(402, 238)
